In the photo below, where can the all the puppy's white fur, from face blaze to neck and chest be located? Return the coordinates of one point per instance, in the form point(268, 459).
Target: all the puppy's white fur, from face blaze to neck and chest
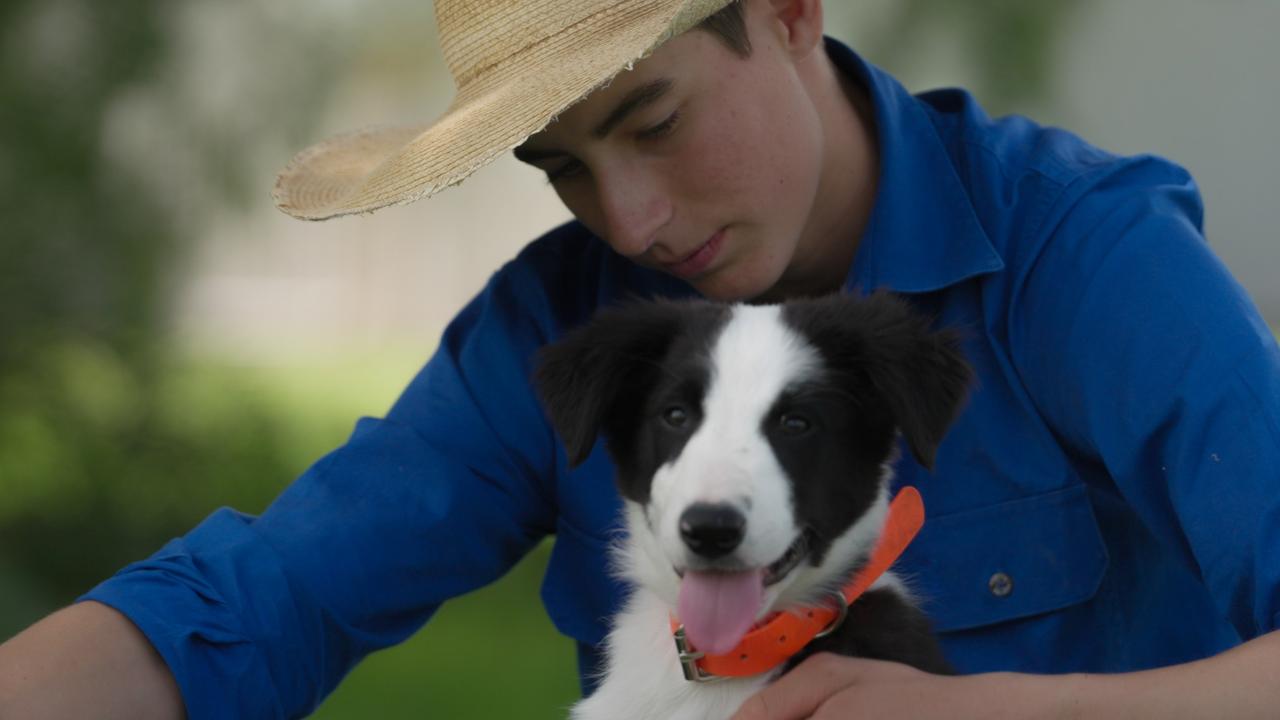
point(726, 461)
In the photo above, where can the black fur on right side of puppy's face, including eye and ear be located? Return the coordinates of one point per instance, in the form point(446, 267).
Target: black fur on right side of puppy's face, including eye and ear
point(884, 371)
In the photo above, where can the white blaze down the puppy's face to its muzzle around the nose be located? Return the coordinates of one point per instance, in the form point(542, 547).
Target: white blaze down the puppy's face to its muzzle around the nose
point(729, 459)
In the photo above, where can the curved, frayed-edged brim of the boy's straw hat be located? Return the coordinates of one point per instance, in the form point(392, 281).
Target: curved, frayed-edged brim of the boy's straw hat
point(369, 170)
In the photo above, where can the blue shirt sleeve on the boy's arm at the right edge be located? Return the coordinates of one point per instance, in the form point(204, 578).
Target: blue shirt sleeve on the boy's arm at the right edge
point(1149, 358)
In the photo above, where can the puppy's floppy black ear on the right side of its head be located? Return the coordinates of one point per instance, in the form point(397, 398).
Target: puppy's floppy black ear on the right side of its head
point(920, 375)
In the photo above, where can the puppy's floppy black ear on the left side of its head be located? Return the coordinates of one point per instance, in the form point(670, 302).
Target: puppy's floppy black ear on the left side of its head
point(600, 373)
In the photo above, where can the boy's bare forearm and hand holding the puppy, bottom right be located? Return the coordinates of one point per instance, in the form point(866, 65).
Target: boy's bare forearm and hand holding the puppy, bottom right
point(1241, 685)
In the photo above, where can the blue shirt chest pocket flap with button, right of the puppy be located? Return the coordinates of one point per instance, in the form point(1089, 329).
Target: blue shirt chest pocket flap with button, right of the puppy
point(1007, 562)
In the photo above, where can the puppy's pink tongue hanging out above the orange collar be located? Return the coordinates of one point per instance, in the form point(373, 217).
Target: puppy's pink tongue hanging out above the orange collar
point(717, 609)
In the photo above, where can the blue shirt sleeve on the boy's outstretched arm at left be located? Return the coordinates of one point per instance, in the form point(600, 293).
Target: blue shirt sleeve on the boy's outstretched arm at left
point(262, 617)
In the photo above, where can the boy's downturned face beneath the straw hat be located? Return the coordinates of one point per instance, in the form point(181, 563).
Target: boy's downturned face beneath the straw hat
point(698, 163)
